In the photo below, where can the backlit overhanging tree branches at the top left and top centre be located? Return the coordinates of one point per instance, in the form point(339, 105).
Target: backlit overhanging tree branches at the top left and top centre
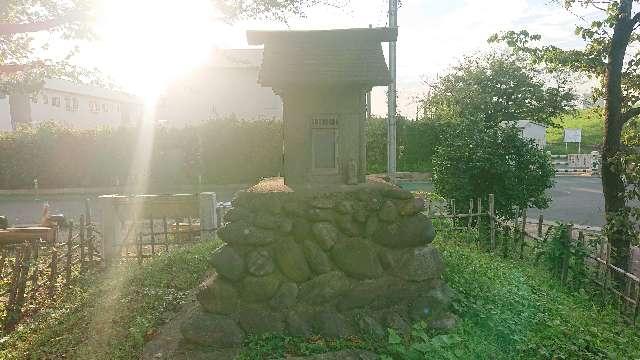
point(24, 63)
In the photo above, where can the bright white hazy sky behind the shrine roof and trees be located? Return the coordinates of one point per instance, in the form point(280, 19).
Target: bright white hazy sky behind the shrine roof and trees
point(433, 36)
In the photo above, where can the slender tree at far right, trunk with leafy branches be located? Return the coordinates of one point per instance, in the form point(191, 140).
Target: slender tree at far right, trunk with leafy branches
point(611, 54)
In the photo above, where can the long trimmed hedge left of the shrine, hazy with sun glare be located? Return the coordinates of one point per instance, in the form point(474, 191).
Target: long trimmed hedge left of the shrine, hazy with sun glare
point(221, 151)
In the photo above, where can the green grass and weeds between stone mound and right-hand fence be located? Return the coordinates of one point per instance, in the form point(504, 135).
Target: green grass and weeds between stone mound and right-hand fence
point(510, 309)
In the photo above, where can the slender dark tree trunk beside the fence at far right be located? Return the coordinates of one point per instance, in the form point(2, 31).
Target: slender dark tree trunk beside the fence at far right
point(612, 183)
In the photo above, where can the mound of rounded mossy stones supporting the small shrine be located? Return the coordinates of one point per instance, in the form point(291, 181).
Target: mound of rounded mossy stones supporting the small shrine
point(335, 262)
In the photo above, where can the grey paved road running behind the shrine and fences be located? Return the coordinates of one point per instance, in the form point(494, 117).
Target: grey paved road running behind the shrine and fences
point(576, 199)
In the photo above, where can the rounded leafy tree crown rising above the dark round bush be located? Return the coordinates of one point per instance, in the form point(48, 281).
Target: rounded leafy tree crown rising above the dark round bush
point(497, 87)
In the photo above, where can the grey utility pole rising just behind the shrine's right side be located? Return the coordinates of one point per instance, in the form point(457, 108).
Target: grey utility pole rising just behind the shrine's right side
point(391, 123)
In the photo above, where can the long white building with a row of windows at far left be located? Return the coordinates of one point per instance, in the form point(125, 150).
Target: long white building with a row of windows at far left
point(72, 105)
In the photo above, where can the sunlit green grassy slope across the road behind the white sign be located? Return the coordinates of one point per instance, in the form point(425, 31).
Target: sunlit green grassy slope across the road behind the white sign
point(591, 121)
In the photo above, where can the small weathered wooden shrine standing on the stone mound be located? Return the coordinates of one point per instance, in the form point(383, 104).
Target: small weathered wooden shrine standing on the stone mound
point(323, 77)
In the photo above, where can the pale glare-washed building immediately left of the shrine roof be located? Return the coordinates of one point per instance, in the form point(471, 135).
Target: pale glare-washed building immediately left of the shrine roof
point(226, 86)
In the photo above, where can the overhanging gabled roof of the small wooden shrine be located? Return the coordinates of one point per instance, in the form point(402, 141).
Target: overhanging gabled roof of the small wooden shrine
point(323, 56)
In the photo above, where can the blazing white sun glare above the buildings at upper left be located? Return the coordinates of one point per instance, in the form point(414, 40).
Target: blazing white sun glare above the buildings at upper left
point(147, 43)
